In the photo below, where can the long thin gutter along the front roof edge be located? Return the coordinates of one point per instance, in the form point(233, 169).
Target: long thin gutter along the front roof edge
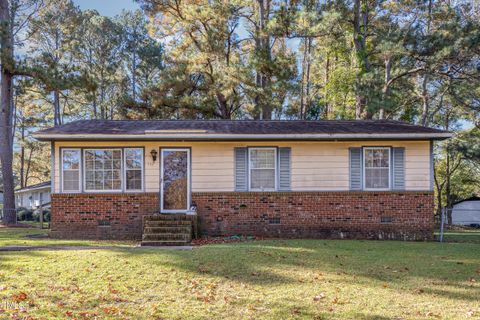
point(230, 137)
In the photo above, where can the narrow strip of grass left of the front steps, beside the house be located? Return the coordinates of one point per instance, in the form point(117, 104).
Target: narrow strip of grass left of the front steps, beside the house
point(19, 237)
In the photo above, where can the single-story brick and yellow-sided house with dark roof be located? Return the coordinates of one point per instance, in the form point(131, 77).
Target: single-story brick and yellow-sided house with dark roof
point(343, 179)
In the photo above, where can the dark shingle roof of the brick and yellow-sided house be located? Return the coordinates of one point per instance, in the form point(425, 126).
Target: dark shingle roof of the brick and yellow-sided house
point(234, 127)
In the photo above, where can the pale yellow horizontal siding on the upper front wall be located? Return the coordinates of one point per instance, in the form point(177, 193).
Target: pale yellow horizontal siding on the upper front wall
point(316, 166)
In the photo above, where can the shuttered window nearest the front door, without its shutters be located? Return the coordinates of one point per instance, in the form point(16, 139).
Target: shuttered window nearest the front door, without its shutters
point(263, 163)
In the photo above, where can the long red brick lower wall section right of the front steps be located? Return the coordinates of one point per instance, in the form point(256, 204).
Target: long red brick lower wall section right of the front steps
point(317, 214)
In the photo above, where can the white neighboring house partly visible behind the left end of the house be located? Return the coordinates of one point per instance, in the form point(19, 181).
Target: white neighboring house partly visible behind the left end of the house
point(32, 196)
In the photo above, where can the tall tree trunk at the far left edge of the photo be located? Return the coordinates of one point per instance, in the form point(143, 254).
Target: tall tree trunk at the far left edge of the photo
point(6, 146)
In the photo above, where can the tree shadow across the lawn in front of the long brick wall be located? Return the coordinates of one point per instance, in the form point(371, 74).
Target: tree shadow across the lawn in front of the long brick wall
point(273, 262)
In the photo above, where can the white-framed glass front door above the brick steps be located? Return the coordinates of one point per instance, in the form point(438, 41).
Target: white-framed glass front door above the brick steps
point(175, 180)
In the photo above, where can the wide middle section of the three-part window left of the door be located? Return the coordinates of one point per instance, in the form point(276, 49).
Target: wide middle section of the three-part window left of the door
point(103, 169)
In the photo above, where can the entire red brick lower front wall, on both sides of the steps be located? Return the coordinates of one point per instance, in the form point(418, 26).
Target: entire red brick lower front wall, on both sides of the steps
point(361, 215)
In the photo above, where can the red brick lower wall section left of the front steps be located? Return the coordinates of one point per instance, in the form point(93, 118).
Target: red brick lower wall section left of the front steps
point(101, 216)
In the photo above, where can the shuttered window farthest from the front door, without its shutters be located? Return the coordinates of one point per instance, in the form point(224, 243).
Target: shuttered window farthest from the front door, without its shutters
point(377, 168)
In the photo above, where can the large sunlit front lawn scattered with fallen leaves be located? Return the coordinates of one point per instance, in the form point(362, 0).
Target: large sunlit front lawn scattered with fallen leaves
point(274, 279)
